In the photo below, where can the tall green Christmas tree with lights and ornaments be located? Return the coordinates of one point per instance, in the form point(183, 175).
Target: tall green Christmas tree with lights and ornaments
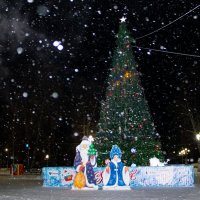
point(125, 119)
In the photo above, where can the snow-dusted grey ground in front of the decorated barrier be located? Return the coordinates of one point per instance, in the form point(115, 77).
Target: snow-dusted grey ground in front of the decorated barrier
point(27, 188)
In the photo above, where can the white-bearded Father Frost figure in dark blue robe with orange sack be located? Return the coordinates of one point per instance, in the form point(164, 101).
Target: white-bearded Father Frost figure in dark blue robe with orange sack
point(84, 162)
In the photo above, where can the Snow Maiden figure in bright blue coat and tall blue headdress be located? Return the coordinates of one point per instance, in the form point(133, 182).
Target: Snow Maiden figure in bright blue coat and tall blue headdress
point(116, 175)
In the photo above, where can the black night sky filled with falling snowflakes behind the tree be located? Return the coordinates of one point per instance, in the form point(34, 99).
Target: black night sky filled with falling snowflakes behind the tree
point(55, 58)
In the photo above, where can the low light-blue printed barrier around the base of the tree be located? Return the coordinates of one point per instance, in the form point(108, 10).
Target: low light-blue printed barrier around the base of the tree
point(167, 176)
